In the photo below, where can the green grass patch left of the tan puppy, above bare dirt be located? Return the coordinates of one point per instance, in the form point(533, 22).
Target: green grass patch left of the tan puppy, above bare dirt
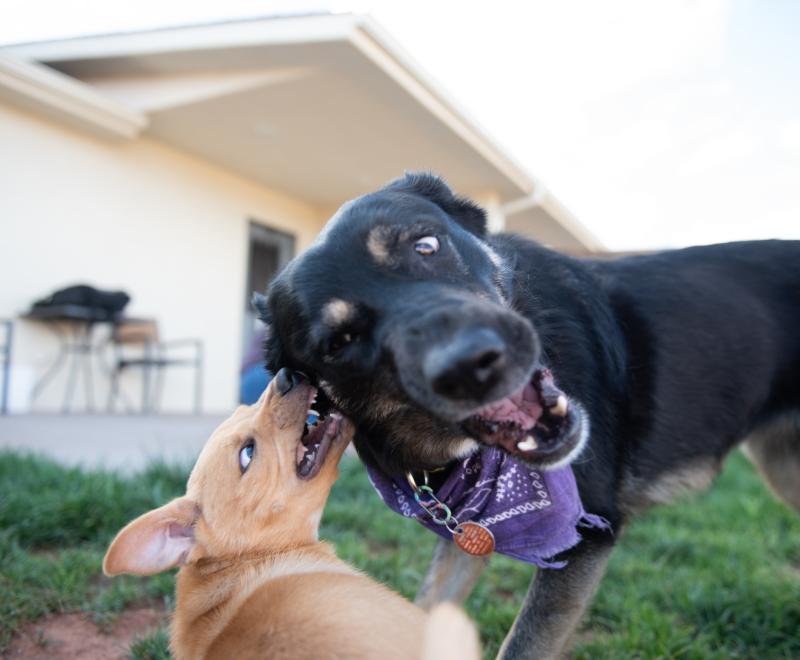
point(55, 525)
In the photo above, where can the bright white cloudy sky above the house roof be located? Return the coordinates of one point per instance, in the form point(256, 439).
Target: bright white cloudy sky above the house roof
point(657, 123)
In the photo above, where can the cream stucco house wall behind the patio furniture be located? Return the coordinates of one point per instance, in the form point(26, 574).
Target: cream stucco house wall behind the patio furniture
point(168, 228)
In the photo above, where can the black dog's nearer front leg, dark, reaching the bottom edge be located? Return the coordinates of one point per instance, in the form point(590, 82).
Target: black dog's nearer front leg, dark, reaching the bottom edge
point(555, 603)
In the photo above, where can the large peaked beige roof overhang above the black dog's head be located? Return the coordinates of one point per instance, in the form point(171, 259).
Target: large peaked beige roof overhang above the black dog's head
point(322, 107)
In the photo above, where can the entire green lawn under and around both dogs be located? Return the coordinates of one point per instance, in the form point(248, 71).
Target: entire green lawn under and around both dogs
point(713, 576)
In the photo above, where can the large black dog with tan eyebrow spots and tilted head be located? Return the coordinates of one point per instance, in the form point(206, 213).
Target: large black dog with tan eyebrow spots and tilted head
point(648, 368)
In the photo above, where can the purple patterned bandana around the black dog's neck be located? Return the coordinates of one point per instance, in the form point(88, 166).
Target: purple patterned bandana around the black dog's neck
point(533, 515)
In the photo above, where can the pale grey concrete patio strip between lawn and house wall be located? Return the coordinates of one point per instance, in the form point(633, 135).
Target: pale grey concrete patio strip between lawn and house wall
point(119, 442)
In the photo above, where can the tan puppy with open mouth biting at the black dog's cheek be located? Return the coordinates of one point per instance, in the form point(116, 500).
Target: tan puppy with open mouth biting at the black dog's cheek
point(255, 581)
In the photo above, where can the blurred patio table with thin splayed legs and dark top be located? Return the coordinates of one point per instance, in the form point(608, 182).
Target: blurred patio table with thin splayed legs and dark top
point(73, 325)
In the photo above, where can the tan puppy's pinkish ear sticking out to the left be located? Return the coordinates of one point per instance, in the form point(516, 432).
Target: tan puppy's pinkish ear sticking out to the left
point(155, 542)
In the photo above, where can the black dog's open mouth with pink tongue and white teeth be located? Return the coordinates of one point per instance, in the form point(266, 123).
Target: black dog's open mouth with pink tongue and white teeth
point(534, 422)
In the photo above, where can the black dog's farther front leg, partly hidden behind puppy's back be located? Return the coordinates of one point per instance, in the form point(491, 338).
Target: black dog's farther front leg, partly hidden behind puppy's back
point(451, 575)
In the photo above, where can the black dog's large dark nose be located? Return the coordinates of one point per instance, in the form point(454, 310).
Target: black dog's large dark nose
point(467, 367)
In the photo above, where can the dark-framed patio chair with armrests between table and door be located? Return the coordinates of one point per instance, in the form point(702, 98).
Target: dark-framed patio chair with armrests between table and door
point(136, 344)
